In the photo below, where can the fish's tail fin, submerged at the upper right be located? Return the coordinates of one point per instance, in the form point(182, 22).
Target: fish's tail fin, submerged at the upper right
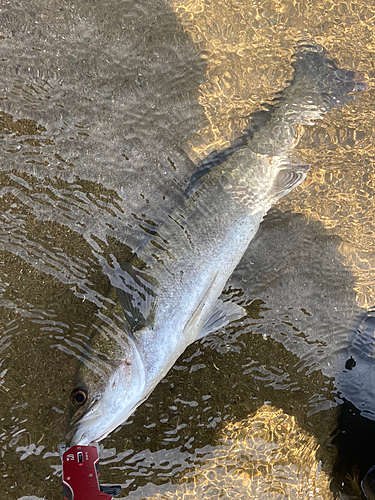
point(318, 85)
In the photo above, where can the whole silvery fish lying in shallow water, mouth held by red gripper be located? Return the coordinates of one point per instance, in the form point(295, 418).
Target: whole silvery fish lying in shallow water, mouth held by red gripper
point(168, 294)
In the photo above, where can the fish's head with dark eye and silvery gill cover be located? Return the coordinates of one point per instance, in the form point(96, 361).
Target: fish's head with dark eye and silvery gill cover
point(109, 384)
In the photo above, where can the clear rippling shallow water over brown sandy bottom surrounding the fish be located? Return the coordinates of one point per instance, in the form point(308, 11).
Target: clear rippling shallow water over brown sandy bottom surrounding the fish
point(105, 110)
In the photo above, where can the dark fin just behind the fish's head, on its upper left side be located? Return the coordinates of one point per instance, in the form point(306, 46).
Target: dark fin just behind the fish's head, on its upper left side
point(136, 293)
